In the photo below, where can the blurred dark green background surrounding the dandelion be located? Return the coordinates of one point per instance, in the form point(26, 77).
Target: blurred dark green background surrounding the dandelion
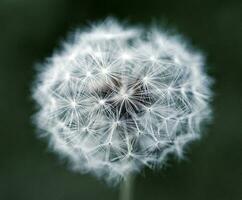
point(31, 29)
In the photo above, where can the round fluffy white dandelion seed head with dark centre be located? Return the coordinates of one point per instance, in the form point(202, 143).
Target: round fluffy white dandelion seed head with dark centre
point(116, 99)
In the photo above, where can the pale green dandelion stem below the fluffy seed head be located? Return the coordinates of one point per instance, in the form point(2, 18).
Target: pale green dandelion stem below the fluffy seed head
point(126, 188)
